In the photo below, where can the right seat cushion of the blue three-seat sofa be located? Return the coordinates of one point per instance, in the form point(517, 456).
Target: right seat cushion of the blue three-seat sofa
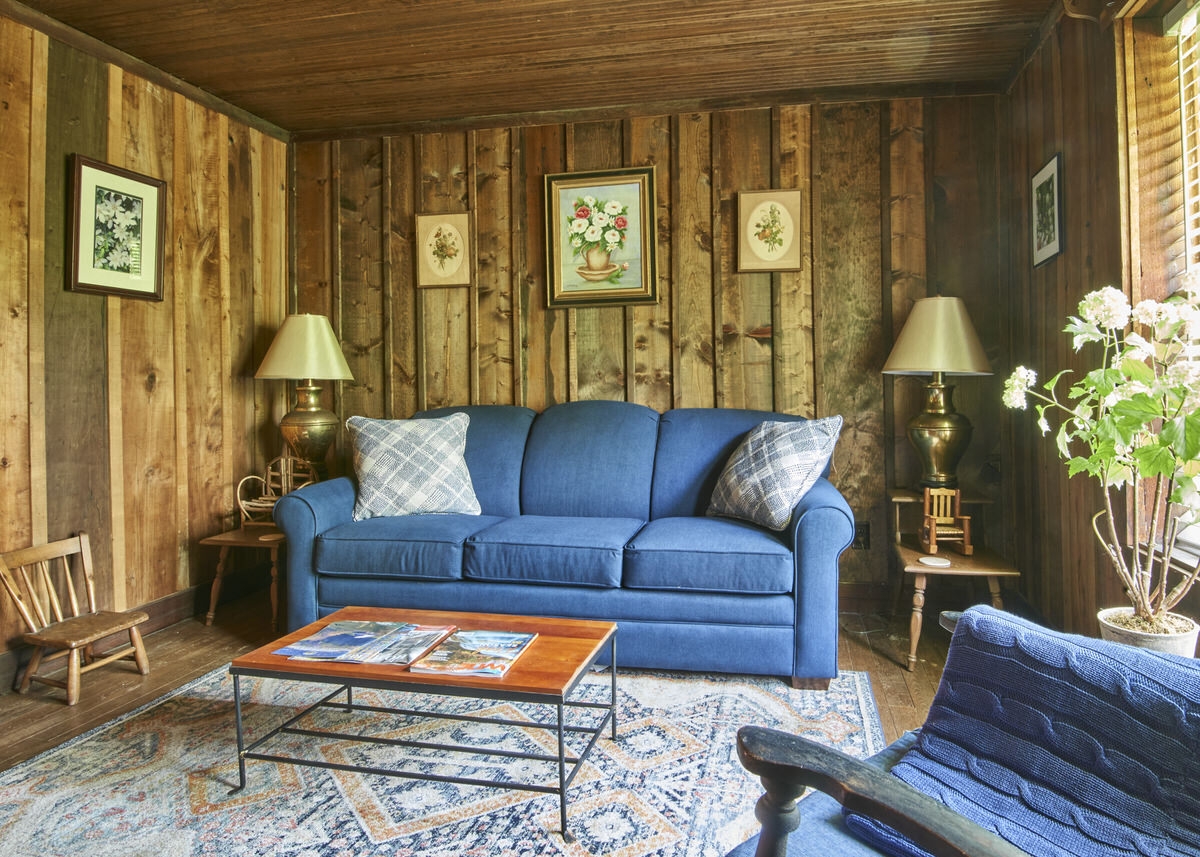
point(709, 555)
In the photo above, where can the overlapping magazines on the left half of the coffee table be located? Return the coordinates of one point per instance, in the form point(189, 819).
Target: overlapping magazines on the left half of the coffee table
point(369, 643)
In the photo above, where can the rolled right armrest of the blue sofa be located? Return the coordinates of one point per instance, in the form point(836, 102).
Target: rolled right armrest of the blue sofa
point(823, 528)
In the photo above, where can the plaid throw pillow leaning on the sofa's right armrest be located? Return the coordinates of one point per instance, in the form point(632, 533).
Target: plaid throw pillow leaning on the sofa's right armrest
point(772, 470)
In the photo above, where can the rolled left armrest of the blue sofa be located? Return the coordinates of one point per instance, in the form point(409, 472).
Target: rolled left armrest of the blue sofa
point(303, 516)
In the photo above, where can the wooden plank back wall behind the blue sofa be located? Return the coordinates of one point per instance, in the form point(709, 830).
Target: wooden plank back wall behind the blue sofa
point(809, 341)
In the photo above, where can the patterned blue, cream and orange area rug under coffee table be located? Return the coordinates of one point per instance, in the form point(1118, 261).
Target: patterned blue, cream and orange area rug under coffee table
point(158, 781)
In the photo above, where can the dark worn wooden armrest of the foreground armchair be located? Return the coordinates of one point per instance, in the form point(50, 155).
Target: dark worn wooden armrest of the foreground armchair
point(788, 765)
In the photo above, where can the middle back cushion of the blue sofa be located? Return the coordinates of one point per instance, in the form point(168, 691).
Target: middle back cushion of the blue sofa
point(591, 459)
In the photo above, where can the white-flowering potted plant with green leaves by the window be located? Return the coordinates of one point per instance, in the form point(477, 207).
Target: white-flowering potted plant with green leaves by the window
point(1133, 423)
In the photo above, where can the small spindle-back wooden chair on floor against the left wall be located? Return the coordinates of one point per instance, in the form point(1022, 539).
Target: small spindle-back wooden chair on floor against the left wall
point(46, 584)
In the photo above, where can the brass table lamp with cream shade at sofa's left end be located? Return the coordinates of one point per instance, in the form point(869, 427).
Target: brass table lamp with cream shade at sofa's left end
point(305, 350)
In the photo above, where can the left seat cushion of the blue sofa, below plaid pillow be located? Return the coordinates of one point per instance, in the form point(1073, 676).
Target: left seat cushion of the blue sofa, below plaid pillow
point(415, 547)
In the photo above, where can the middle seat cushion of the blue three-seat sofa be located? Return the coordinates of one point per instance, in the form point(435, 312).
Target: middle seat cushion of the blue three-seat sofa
point(566, 552)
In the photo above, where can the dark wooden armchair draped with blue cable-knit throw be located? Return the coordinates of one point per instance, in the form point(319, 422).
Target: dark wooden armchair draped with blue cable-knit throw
point(1036, 742)
